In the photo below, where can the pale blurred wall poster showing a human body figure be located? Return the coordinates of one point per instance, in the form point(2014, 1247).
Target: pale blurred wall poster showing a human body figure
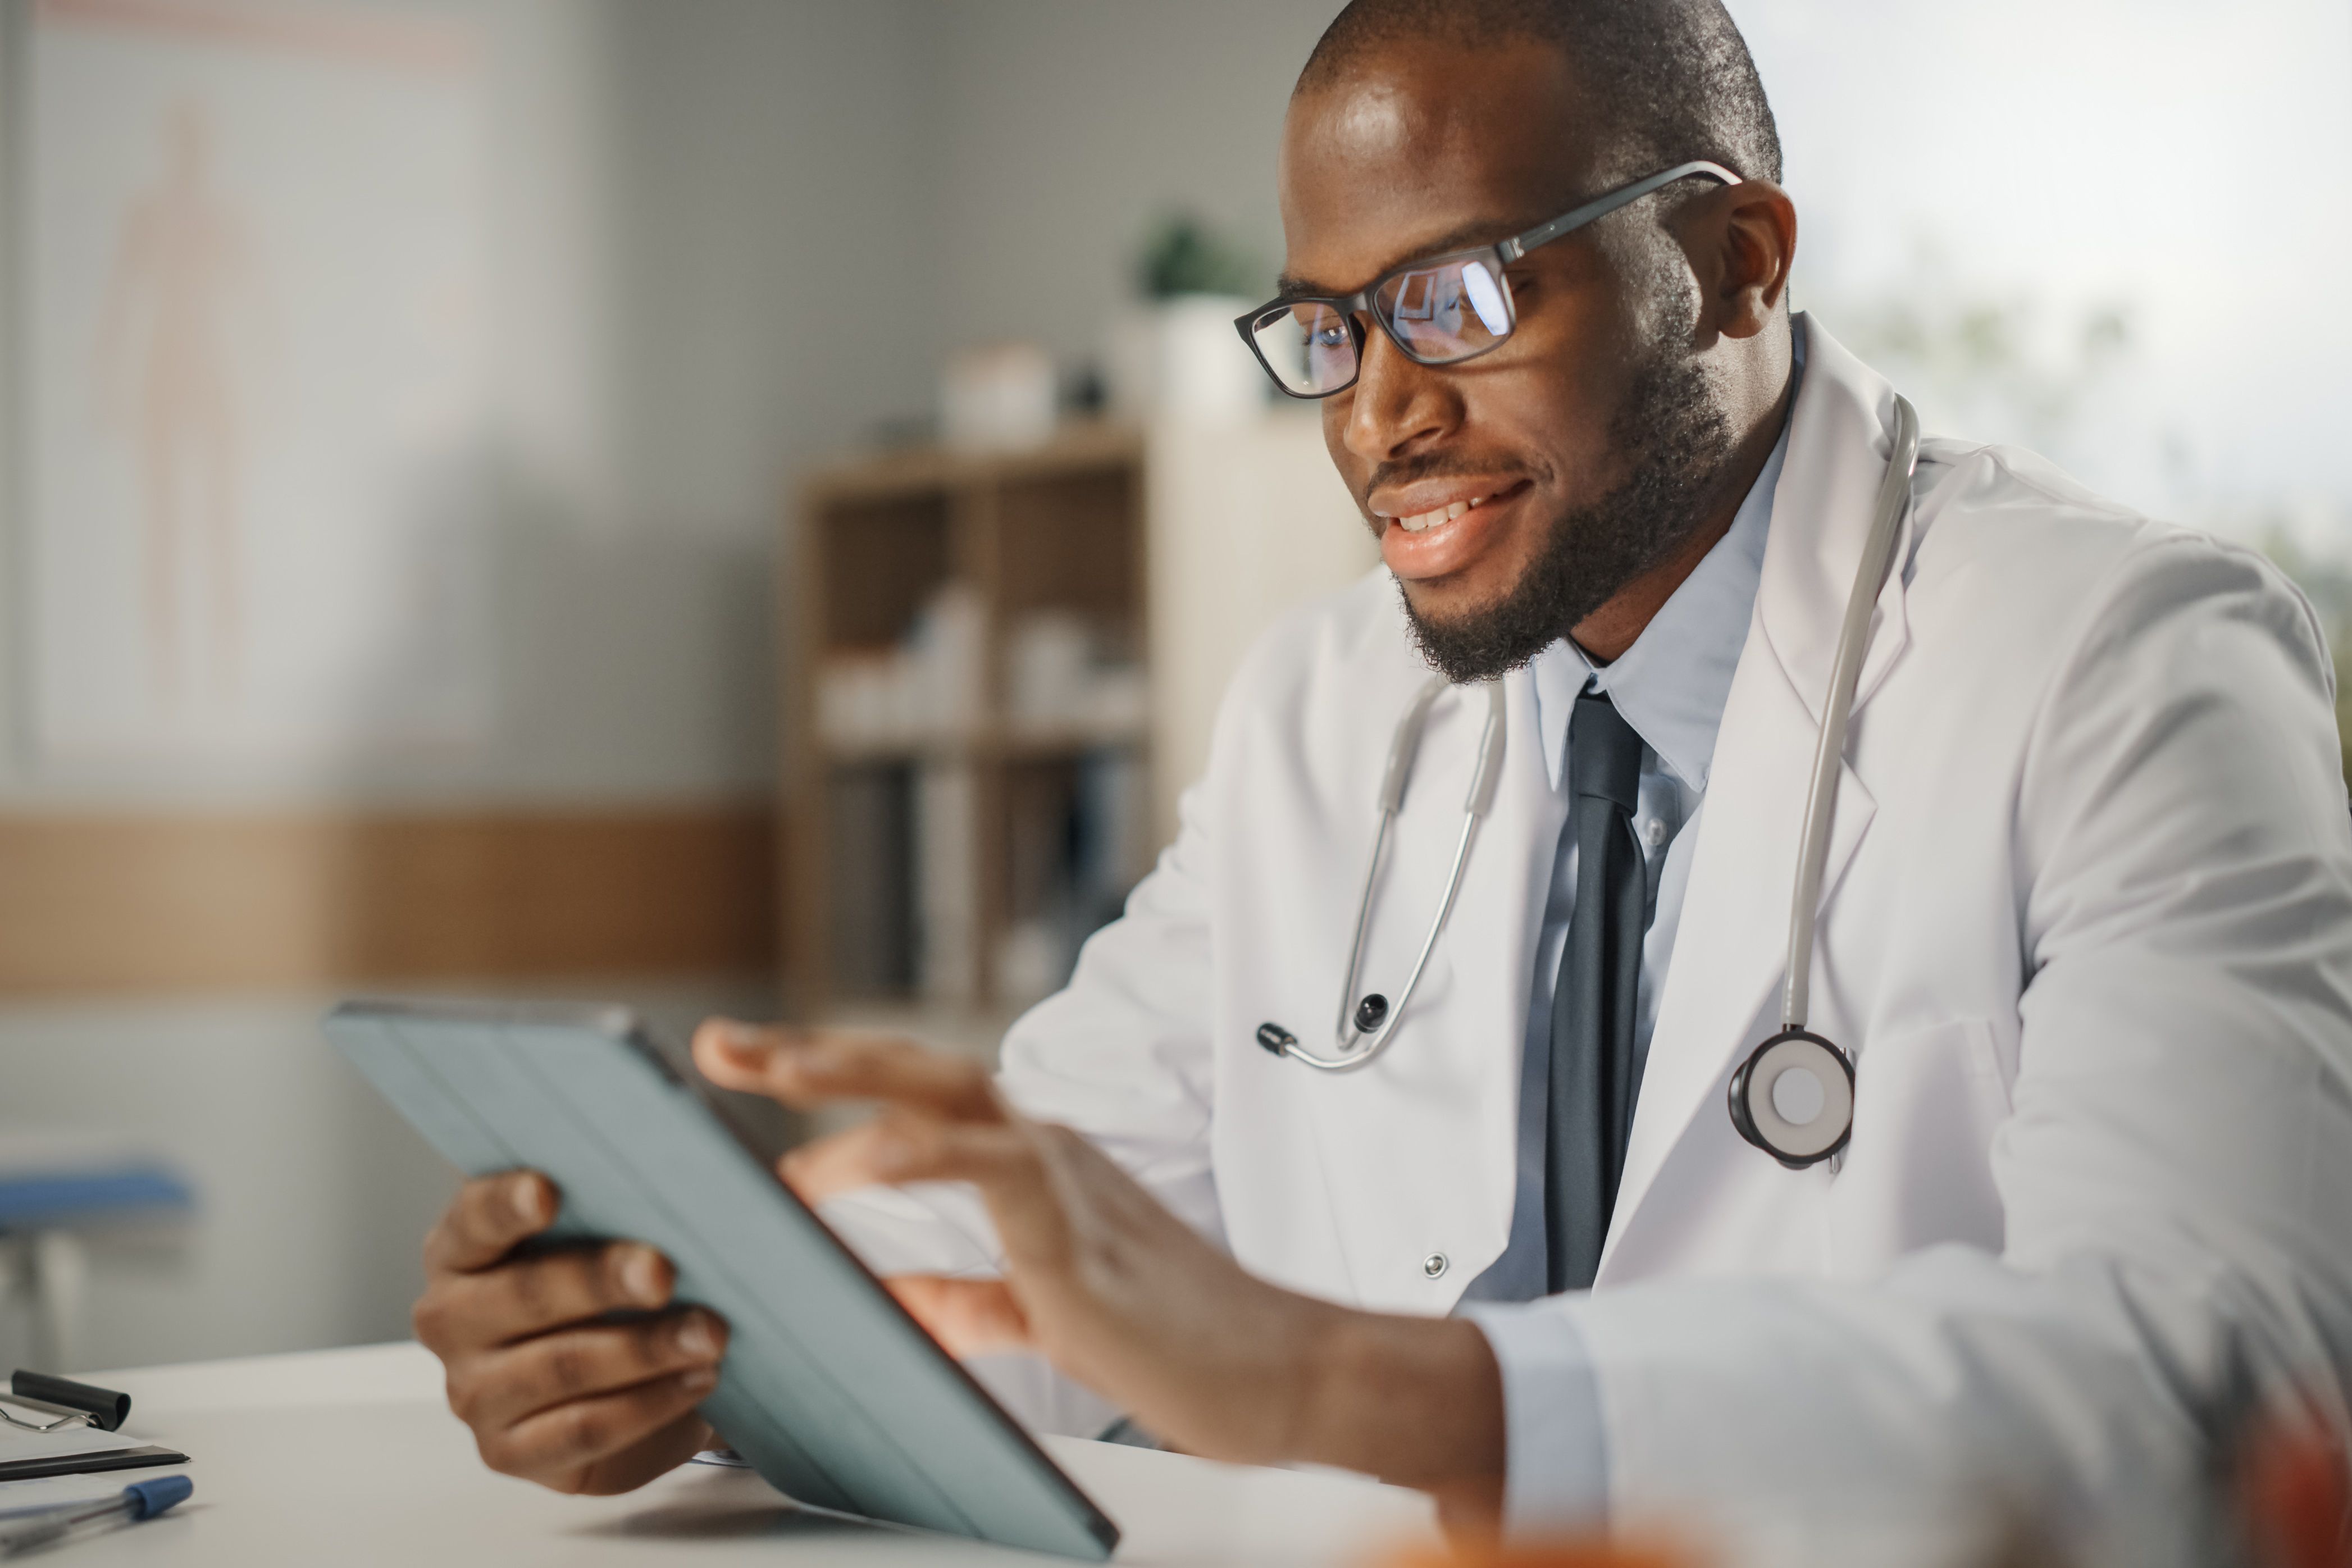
point(253, 267)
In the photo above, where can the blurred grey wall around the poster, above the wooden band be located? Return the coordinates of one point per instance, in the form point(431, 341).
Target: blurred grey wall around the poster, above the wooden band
point(693, 206)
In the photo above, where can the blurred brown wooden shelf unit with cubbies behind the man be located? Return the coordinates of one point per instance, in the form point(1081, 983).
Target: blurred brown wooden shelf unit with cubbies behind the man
point(1057, 530)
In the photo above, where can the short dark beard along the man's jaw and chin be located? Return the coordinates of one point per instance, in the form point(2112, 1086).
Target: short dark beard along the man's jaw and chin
point(1678, 445)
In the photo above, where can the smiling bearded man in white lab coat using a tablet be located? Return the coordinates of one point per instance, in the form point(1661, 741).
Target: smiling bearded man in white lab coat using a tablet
point(2085, 925)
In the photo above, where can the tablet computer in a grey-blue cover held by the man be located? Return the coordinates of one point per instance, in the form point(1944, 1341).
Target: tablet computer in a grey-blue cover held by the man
point(829, 1388)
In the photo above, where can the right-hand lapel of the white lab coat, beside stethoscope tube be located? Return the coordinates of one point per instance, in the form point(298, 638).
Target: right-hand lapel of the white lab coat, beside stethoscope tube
point(1732, 946)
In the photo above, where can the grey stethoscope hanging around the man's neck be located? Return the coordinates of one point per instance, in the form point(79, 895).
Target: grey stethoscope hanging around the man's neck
point(1793, 1097)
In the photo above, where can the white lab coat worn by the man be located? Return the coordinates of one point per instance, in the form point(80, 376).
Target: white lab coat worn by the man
point(2087, 927)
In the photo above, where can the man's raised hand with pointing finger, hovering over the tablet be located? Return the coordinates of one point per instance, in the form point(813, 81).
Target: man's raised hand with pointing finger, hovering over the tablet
point(1118, 1292)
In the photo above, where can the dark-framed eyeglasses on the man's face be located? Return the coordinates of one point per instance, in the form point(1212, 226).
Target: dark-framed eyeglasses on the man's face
point(1438, 311)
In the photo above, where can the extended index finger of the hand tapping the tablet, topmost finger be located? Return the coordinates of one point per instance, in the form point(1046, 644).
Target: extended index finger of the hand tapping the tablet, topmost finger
point(817, 1066)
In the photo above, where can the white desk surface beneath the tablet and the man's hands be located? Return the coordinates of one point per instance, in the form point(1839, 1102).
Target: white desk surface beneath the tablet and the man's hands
point(349, 1456)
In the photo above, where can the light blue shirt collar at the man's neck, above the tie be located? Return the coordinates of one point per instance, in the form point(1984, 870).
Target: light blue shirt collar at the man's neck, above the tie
point(1676, 678)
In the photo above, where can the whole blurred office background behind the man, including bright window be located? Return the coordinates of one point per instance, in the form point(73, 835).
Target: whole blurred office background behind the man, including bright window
point(749, 507)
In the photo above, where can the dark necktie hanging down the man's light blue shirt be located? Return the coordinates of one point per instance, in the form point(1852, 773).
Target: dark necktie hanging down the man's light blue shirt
point(1593, 1003)
